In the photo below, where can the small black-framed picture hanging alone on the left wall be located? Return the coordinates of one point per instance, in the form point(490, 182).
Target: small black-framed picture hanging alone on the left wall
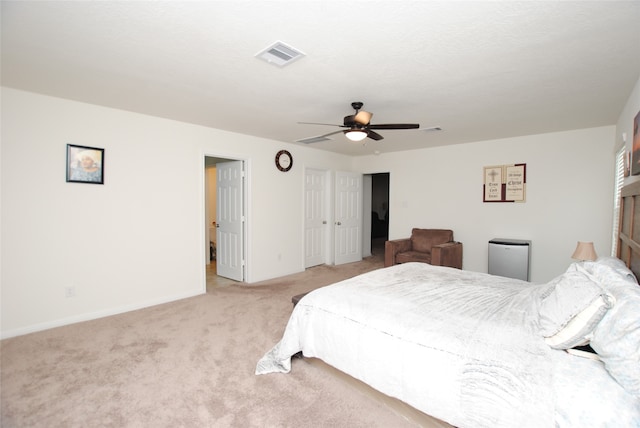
point(85, 164)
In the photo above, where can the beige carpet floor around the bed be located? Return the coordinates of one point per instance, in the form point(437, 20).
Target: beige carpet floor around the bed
point(188, 363)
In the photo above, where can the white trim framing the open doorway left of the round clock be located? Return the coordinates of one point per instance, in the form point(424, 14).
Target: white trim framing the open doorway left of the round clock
point(203, 223)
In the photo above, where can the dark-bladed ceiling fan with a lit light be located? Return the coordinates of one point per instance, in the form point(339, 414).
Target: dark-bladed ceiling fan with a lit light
point(359, 127)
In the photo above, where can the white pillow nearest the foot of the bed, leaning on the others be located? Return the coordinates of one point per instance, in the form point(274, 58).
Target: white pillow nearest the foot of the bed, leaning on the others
point(570, 312)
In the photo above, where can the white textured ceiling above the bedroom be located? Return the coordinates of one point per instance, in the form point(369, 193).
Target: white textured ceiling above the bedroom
point(479, 70)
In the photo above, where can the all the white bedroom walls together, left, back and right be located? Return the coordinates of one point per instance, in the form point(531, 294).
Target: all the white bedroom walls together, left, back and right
point(138, 240)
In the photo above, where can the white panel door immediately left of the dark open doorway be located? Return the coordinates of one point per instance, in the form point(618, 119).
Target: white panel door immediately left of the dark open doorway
point(348, 217)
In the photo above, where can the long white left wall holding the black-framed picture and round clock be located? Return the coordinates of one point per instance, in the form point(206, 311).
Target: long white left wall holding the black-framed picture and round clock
point(139, 239)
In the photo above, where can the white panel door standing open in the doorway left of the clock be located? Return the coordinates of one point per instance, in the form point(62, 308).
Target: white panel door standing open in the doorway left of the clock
point(230, 220)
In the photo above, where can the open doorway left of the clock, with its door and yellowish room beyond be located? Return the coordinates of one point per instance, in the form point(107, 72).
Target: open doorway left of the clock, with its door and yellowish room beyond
point(225, 232)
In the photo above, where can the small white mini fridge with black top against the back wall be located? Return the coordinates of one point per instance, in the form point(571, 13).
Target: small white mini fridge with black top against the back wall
point(510, 258)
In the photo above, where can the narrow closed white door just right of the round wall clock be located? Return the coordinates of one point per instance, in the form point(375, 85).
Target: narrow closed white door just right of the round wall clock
point(315, 217)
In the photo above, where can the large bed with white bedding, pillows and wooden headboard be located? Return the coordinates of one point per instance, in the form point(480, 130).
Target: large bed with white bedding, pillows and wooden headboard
point(477, 350)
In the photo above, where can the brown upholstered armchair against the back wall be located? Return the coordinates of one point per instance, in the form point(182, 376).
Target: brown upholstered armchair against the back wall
point(433, 246)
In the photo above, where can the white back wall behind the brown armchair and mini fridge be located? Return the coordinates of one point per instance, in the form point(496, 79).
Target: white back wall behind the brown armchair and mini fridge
point(569, 195)
